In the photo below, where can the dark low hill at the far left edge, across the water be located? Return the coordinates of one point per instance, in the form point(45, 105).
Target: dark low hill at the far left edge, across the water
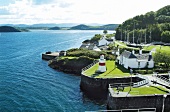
point(8, 29)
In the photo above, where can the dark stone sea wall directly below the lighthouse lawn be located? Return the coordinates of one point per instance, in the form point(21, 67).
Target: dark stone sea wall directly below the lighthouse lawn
point(97, 88)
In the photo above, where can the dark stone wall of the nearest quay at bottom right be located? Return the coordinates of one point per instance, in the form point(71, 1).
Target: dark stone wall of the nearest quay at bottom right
point(135, 102)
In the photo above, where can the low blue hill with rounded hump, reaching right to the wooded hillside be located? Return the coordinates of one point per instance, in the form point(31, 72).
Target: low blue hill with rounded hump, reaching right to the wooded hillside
point(104, 27)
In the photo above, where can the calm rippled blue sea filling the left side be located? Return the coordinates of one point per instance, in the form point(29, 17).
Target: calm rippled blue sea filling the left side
point(26, 81)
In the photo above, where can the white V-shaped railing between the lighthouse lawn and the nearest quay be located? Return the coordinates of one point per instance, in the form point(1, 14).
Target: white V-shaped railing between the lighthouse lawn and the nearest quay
point(141, 83)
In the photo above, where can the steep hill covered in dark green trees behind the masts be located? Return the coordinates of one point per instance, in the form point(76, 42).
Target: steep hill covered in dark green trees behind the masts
point(155, 25)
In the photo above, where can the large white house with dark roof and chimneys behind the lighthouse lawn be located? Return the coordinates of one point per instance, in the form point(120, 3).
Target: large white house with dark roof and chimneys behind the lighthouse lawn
point(131, 60)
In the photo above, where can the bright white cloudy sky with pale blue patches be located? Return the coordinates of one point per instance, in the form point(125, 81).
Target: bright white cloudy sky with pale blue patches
point(75, 11)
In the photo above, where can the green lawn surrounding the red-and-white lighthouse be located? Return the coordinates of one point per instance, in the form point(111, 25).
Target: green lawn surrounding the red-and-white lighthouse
point(112, 71)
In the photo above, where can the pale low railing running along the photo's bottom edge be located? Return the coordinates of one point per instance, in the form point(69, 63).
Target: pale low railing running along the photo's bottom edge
point(128, 110)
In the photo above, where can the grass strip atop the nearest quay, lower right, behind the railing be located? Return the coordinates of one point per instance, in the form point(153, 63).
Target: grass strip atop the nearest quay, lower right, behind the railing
point(146, 90)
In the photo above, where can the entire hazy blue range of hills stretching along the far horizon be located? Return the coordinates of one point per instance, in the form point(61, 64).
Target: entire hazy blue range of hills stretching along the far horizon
point(65, 26)
